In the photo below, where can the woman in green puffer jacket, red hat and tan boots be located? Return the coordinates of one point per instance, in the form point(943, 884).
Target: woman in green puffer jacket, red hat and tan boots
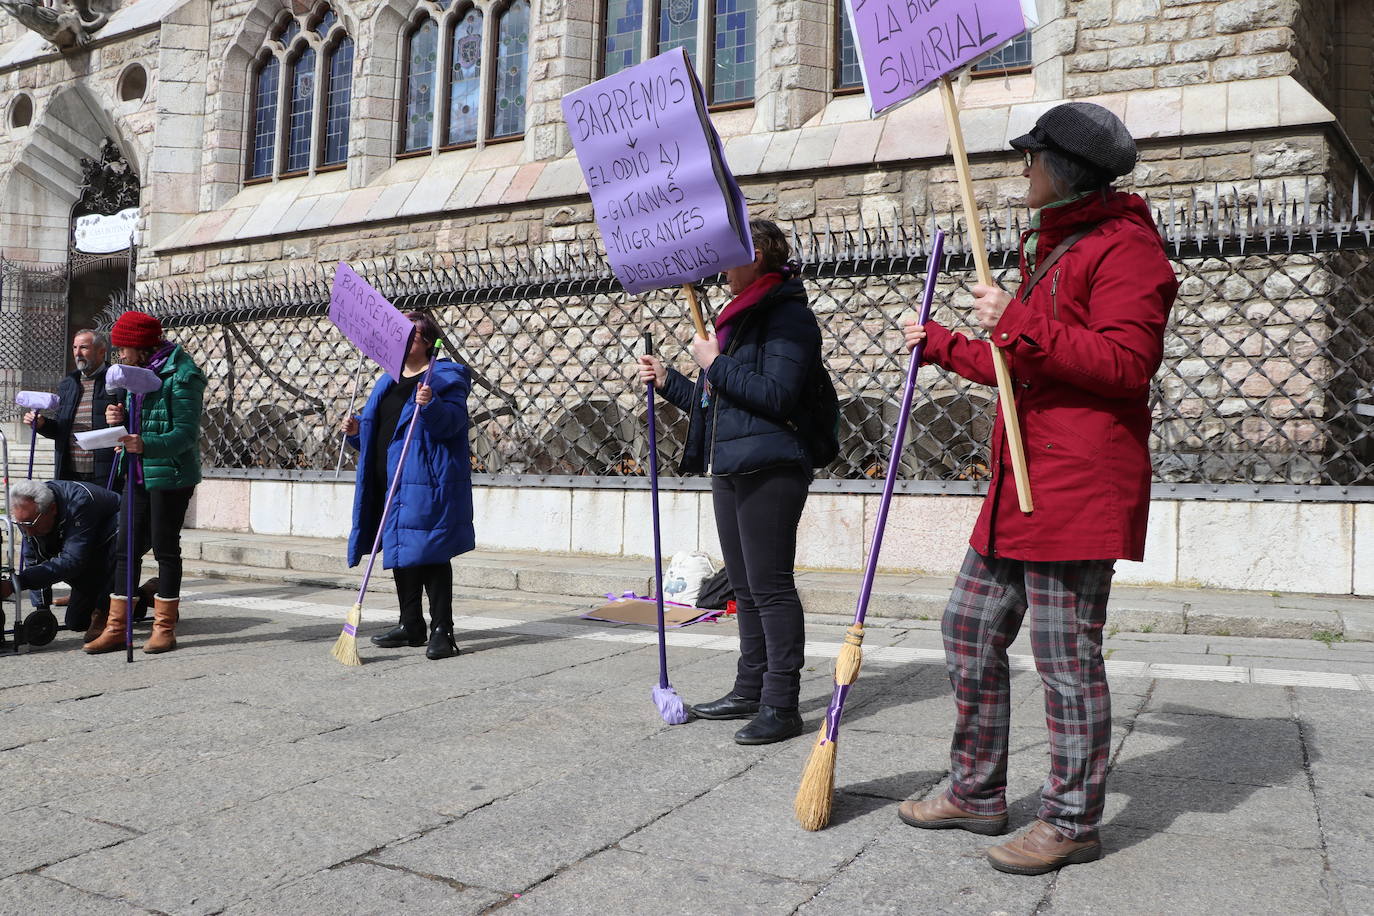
point(170, 444)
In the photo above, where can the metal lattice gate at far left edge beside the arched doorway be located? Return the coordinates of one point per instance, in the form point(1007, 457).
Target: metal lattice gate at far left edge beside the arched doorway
point(34, 329)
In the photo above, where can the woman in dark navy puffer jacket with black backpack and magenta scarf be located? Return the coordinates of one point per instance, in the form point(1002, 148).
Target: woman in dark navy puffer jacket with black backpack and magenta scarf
point(745, 410)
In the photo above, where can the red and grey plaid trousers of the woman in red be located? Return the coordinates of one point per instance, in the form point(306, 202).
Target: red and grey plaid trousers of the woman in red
point(1068, 605)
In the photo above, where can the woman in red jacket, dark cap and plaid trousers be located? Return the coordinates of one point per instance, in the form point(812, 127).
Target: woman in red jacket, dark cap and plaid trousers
point(1083, 337)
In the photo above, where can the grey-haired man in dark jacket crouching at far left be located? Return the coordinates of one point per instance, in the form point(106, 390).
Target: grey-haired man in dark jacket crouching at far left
point(69, 538)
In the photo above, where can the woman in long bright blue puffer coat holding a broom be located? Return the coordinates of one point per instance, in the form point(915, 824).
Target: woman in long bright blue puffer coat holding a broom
point(432, 514)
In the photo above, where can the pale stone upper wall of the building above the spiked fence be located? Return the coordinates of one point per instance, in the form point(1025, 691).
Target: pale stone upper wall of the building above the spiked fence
point(1219, 91)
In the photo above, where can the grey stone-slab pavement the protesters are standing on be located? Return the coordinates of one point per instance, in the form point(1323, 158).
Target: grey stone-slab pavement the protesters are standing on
point(249, 772)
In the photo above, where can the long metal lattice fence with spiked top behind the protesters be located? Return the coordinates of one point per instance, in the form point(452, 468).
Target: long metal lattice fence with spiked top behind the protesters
point(1268, 358)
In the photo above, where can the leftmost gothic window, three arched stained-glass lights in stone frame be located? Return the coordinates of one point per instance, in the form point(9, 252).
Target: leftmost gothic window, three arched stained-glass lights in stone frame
point(303, 89)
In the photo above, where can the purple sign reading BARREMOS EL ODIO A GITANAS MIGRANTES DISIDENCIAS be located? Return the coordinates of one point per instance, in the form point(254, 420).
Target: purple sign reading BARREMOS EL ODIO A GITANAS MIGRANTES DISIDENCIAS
point(667, 205)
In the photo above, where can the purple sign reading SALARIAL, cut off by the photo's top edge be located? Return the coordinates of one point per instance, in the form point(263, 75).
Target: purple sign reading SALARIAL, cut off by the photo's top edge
point(905, 46)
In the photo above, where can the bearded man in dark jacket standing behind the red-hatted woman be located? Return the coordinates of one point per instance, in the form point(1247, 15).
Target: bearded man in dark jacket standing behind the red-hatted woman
point(82, 402)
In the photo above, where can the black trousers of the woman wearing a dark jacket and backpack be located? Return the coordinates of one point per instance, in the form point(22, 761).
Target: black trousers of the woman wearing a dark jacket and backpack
point(756, 520)
